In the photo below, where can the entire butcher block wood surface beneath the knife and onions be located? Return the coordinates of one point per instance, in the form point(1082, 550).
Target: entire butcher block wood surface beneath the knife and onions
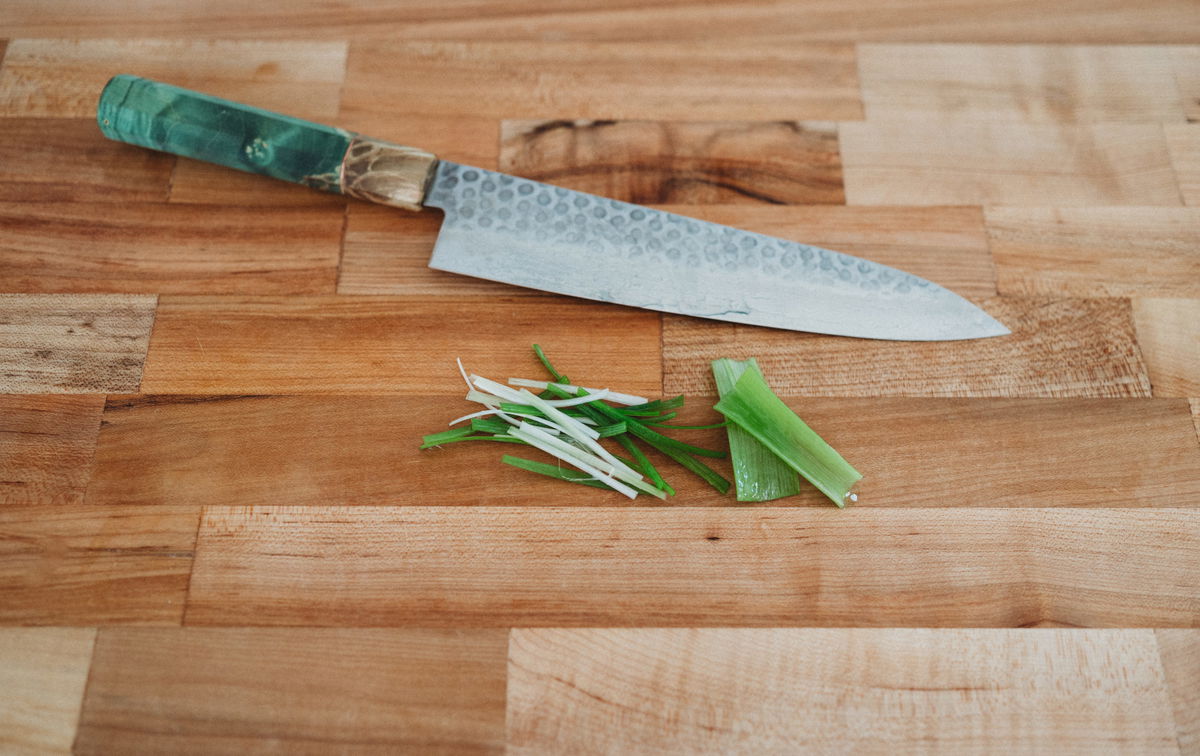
point(218, 533)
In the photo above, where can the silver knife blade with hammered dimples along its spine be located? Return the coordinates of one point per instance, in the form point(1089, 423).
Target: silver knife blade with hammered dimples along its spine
point(532, 235)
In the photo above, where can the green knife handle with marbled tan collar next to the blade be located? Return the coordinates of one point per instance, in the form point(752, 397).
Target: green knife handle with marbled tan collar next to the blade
point(171, 119)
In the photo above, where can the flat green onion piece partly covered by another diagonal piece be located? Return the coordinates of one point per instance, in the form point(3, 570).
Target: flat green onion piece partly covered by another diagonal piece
point(759, 476)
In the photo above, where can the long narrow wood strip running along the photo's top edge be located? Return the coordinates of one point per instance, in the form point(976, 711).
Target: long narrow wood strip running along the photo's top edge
point(934, 21)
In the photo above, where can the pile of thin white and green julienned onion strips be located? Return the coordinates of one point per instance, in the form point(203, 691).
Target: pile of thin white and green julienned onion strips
point(567, 423)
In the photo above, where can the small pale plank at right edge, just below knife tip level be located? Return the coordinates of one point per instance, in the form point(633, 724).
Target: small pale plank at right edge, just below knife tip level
point(1169, 334)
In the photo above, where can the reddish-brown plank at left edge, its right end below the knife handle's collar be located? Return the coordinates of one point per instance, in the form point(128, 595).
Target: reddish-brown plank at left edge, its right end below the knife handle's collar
point(152, 248)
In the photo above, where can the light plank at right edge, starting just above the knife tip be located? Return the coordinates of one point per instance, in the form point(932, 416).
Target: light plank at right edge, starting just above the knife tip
point(1096, 251)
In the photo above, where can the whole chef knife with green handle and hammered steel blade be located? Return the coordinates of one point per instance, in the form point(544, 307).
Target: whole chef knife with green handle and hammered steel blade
point(531, 235)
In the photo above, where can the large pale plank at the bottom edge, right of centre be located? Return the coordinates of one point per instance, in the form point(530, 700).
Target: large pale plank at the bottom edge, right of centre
point(818, 691)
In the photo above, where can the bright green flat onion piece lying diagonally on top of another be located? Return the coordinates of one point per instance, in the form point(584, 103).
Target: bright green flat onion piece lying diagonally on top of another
point(754, 407)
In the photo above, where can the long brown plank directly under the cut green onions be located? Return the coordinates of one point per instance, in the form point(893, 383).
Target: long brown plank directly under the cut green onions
point(319, 452)
